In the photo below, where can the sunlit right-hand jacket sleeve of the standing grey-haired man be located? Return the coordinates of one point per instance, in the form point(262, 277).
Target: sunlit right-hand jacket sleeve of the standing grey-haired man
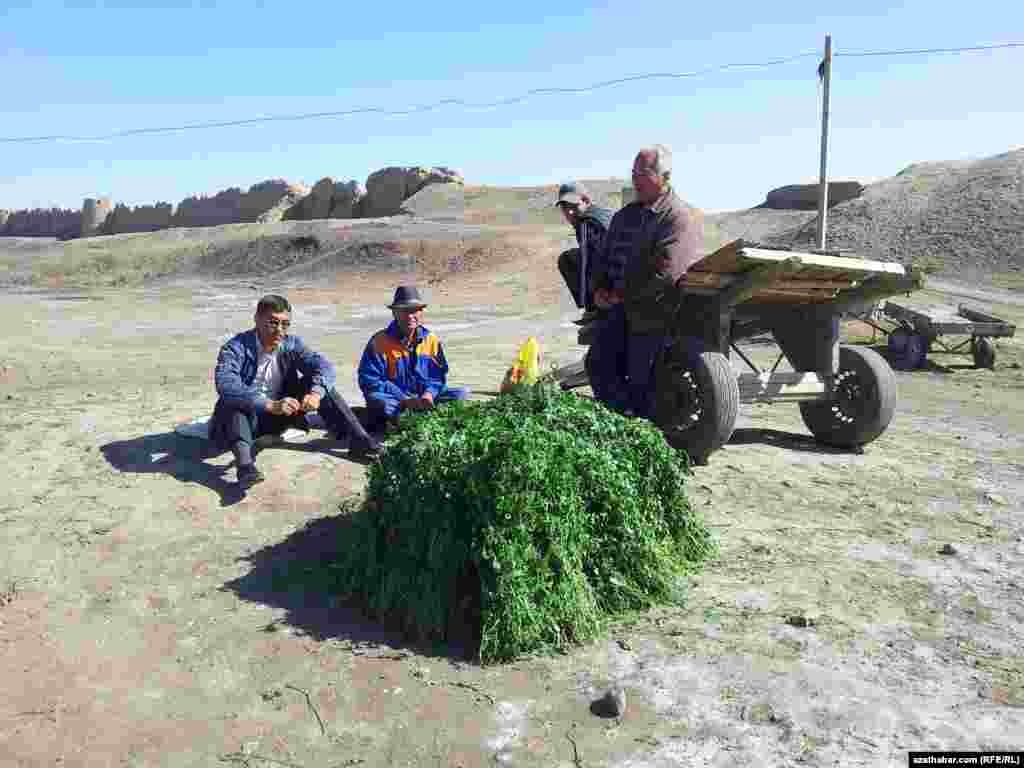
point(675, 248)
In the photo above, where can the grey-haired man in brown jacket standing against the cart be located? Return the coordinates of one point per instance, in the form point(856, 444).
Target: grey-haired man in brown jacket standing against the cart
point(650, 246)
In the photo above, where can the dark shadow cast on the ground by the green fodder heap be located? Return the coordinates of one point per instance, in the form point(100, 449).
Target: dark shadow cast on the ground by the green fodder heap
point(296, 575)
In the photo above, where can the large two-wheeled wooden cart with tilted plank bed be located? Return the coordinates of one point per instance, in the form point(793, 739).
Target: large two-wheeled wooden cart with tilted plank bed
point(847, 395)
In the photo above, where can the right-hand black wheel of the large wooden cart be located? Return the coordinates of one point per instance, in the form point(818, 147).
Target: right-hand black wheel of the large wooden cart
point(863, 405)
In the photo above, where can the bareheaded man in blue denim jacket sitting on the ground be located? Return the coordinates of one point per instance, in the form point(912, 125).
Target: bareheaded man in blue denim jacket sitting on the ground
point(261, 391)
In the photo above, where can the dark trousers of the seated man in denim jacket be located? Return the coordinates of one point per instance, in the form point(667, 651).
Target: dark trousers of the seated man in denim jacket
point(233, 424)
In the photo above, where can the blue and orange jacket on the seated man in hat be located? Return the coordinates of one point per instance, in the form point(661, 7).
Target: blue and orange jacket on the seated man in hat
point(390, 370)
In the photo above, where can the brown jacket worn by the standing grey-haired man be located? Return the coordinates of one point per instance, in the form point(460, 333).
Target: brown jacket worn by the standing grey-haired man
point(647, 250)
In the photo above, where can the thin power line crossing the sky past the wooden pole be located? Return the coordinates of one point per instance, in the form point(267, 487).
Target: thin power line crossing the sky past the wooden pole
point(500, 103)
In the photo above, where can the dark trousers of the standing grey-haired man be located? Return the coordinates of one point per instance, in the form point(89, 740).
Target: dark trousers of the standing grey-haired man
point(622, 365)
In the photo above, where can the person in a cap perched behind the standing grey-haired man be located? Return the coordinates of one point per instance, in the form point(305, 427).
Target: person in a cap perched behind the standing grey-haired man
point(577, 265)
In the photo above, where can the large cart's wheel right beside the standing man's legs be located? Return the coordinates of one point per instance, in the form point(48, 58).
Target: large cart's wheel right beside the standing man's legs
point(697, 408)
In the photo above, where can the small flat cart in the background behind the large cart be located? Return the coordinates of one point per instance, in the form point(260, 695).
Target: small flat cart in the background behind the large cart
point(921, 329)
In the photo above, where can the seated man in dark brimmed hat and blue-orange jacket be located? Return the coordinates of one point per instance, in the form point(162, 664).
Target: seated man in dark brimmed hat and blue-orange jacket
point(404, 367)
